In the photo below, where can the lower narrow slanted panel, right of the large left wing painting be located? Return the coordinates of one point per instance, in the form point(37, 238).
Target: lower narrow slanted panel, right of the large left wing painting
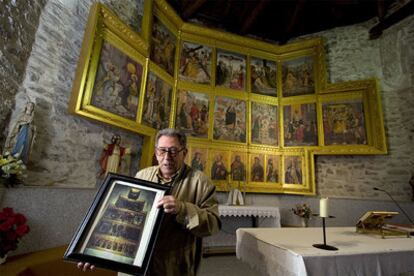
point(157, 104)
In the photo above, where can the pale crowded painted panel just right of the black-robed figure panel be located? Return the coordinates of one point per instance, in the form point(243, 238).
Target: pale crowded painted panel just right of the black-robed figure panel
point(264, 121)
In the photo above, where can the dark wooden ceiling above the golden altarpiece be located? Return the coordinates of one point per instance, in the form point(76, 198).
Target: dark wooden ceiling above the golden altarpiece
point(279, 21)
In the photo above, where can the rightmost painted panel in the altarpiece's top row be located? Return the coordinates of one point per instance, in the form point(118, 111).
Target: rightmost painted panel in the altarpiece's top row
point(298, 77)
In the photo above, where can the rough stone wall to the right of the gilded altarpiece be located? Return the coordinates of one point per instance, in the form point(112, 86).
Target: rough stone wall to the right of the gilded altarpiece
point(390, 59)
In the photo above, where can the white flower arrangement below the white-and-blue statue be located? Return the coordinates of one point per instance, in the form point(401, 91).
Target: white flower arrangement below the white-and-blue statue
point(11, 169)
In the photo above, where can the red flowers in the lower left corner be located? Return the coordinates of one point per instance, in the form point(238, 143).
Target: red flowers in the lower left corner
point(12, 228)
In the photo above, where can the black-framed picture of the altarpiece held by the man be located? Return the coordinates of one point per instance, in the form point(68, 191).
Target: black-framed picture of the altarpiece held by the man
point(121, 226)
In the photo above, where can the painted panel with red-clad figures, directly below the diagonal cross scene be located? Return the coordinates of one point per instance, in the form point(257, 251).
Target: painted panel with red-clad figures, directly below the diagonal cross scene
point(192, 113)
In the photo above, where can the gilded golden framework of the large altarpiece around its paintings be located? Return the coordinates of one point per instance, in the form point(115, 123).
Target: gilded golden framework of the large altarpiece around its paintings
point(303, 59)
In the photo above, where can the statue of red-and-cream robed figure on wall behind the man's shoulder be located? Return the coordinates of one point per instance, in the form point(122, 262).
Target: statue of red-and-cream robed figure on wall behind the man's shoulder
point(115, 158)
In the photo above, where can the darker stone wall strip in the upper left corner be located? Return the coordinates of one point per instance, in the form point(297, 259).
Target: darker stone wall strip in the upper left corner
point(18, 24)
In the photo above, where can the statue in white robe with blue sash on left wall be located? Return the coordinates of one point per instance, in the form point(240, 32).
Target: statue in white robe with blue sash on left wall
point(21, 137)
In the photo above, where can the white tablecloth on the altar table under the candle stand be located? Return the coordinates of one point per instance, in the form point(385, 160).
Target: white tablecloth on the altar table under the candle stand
point(289, 251)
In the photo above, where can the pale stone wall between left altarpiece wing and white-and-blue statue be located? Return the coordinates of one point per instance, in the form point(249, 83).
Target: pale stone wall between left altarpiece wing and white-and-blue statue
point(67, 148)
